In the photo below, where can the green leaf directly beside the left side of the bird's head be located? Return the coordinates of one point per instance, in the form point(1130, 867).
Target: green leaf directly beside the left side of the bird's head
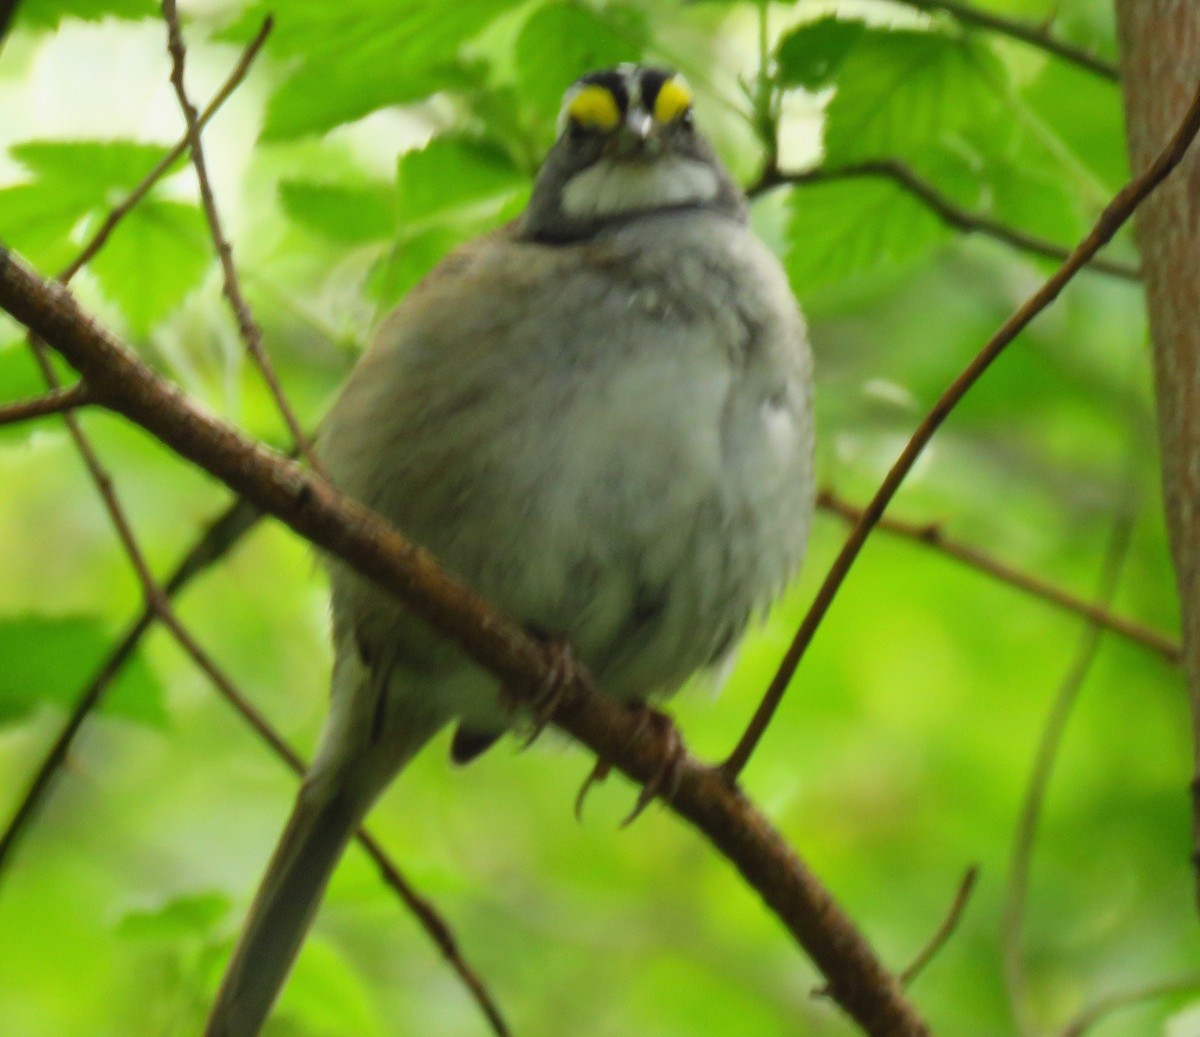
point(451, 173)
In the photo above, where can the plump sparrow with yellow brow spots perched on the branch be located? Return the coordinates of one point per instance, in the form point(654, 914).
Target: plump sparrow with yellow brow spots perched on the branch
point(601, 418)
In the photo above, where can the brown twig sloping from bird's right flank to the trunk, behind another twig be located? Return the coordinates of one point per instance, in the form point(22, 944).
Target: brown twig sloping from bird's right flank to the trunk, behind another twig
point(934, 537)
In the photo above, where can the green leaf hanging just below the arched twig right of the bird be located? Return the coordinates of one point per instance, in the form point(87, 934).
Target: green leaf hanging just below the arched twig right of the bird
point(845, 230)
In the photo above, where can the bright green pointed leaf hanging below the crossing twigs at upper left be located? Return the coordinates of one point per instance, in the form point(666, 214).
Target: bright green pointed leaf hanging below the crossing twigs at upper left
point(157, 256)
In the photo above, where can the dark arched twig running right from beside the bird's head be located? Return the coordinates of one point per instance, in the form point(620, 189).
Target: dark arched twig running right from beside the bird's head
point(950, 213)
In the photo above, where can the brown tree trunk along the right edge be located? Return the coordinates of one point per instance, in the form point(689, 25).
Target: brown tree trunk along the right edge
point(1161, 70)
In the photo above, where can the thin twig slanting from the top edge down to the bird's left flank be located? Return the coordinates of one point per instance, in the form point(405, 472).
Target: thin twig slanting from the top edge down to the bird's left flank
point(248, 327)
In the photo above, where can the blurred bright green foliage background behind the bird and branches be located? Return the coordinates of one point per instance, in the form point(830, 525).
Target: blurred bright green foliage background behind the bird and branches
point(369, 141)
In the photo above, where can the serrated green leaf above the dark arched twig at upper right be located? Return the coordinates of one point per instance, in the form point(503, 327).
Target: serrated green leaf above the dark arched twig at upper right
point(899, 92)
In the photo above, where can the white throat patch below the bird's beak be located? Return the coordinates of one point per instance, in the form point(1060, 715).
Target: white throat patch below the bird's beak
point(610, 189)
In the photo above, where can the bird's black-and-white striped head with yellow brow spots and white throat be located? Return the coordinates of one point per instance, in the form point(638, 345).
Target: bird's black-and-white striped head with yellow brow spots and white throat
point(627, 147)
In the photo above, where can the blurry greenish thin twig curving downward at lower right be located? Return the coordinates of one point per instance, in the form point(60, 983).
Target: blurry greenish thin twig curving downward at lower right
point(1018, 886)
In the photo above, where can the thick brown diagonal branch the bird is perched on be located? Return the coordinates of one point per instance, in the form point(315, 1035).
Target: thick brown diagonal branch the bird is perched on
point(308, 505)
